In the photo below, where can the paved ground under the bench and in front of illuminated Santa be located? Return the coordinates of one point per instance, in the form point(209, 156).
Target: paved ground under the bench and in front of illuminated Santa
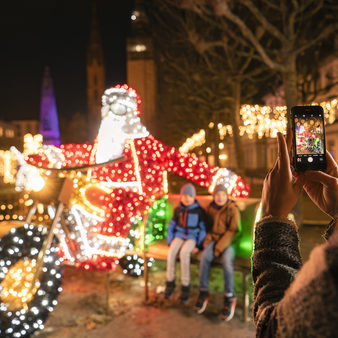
point(81, 311)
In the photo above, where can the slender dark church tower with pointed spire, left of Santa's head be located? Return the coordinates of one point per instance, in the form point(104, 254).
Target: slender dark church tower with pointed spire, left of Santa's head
point(95, 77)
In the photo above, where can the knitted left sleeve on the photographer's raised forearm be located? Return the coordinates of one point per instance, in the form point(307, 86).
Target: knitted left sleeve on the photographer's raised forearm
point(275, 262)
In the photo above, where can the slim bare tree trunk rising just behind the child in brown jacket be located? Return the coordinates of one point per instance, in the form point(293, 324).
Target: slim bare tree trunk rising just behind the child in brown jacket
point(235, 127)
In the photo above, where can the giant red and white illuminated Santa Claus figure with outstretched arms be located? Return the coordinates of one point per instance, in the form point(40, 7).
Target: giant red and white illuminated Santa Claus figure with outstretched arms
point(109, 197)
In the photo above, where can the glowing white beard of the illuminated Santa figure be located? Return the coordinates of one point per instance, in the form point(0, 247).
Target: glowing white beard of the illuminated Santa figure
point(110, 140)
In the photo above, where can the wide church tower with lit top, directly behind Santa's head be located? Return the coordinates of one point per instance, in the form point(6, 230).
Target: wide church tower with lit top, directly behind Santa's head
point(141, 73)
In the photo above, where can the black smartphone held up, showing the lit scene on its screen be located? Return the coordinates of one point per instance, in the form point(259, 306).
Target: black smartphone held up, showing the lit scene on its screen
point(308, 125)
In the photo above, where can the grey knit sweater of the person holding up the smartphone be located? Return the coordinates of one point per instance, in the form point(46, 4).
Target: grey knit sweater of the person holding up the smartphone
point(289, 300)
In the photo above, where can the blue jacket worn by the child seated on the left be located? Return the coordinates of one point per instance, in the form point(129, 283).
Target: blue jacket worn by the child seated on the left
point(188, 223)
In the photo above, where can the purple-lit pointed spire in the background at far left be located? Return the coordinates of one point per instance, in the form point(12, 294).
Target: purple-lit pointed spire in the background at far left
point(49, 124)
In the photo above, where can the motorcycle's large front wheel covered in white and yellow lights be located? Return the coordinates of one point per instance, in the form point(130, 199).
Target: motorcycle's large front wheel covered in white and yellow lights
point(23, 311)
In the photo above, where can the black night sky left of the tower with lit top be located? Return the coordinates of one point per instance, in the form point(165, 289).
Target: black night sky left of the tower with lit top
point(56, 33)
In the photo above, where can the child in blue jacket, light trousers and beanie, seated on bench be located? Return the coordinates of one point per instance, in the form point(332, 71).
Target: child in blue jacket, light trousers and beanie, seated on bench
point(186, 232)
